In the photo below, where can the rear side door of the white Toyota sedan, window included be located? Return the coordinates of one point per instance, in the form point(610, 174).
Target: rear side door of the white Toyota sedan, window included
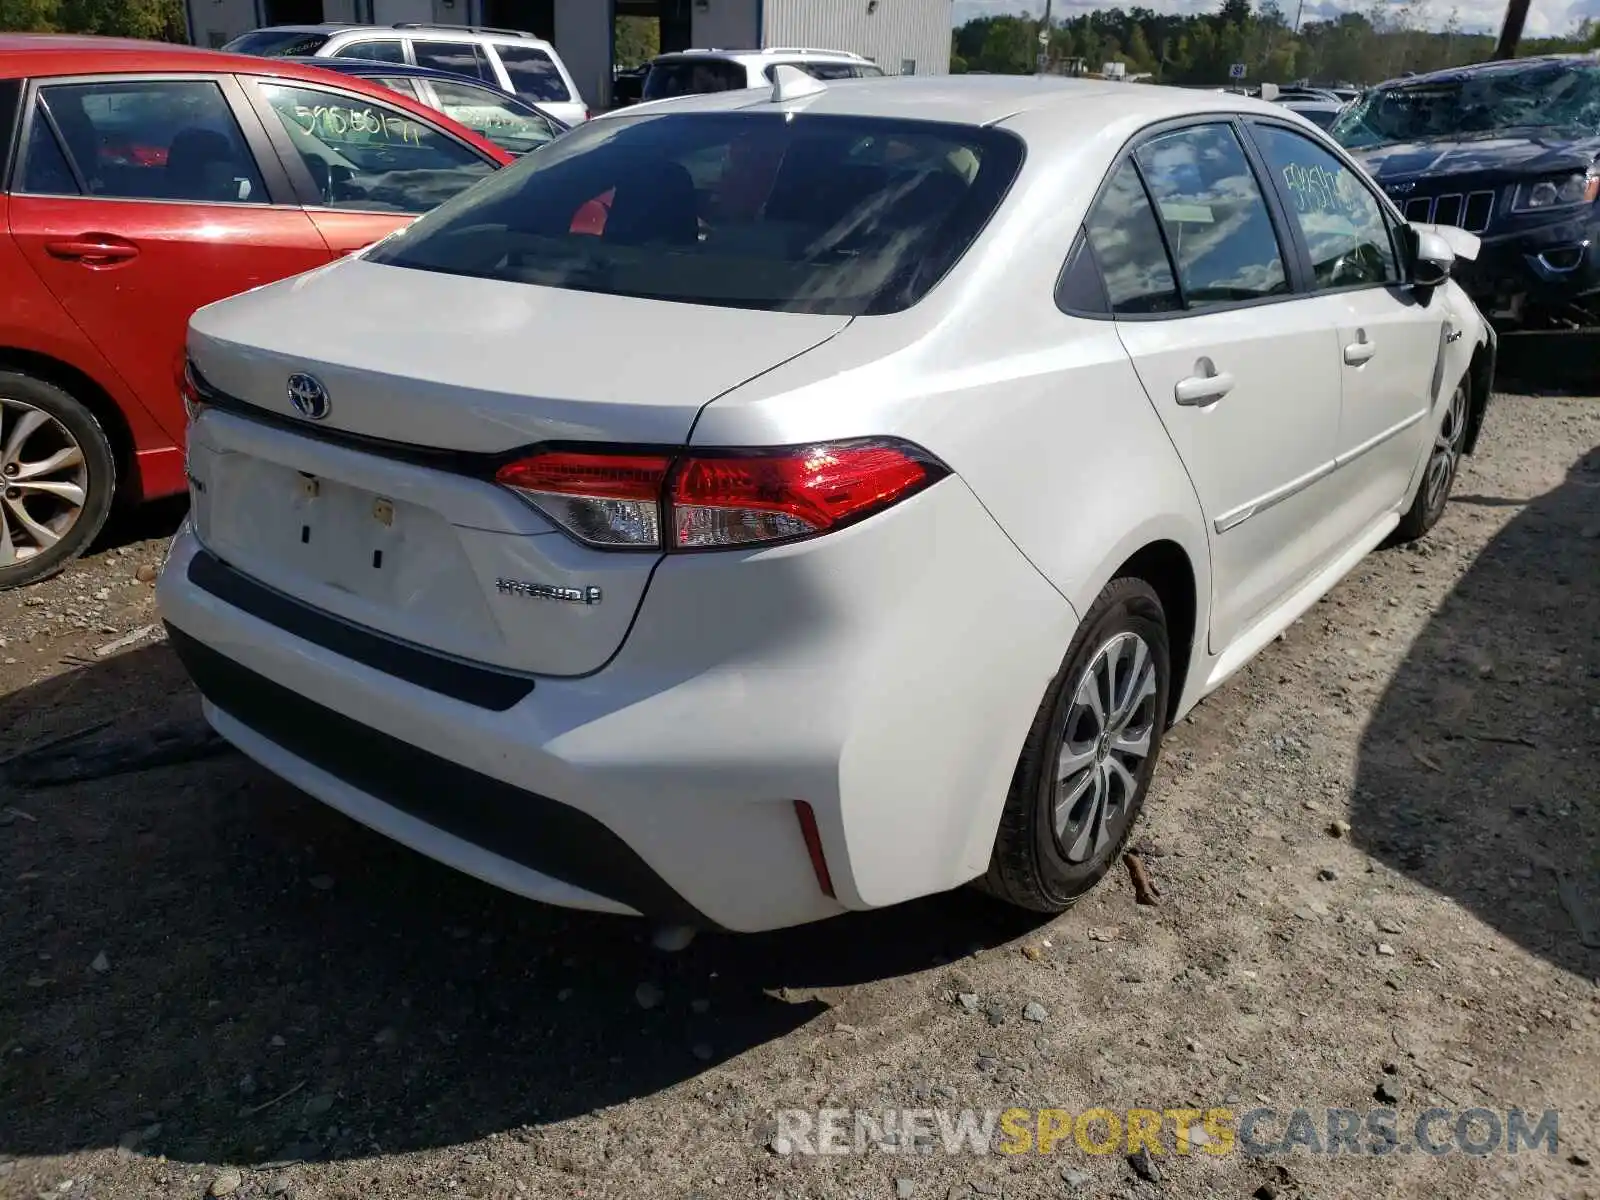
point(1241, 369)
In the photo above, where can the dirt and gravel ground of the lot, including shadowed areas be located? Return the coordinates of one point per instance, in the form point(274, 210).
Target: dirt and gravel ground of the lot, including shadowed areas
point(204, 974)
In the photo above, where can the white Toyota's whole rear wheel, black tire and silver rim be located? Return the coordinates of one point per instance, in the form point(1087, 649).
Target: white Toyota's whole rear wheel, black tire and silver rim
point(1087, 764)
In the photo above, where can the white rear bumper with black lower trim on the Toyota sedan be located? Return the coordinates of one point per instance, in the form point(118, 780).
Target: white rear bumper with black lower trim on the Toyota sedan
point(887, 676)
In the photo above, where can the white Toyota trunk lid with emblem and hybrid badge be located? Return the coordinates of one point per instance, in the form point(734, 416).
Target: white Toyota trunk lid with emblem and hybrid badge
point(383, 510)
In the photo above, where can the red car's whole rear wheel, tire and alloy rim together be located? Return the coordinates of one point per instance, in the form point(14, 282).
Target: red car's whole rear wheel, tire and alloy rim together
point(57, 479)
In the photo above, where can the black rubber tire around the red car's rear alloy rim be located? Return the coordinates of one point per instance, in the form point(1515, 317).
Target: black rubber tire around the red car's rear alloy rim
point(100, 471)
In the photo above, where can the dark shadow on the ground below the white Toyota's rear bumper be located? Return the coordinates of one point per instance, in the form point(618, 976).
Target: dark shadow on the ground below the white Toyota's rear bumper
point(260, 946)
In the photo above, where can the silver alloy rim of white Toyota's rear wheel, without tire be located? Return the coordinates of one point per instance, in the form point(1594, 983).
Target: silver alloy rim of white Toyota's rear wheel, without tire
point(1105, 745)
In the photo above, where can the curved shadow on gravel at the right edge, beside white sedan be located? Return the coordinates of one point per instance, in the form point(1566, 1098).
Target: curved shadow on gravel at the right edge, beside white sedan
point(1479, 767)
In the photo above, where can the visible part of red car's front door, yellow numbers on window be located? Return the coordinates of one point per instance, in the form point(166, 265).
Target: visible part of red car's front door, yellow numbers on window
point(362, 169)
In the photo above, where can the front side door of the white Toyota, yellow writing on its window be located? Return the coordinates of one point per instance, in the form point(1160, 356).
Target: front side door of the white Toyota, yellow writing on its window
point(1391, 337)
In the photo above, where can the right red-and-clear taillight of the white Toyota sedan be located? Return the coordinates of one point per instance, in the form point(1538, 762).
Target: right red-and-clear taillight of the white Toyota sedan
point(721, 498)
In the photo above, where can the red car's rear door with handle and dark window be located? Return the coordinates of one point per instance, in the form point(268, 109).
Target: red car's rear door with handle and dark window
point(142, 199)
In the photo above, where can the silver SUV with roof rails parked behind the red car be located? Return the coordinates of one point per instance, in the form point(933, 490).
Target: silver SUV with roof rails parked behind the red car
point(503, 58)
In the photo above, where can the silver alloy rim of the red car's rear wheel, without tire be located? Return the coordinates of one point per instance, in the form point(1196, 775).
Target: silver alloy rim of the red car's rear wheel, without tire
point(44, 481)
